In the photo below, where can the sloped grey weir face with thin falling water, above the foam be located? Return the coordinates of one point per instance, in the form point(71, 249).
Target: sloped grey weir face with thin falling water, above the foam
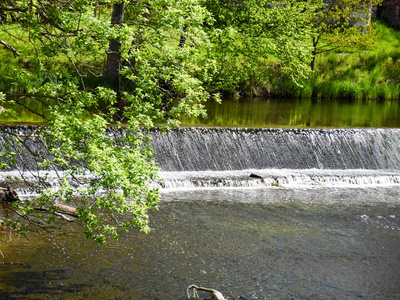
point(200, 149)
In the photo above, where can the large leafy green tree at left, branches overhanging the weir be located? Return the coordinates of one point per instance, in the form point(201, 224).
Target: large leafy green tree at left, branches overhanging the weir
point(105, 173)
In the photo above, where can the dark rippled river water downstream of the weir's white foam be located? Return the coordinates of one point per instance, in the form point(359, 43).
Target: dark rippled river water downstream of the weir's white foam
point(341, 243)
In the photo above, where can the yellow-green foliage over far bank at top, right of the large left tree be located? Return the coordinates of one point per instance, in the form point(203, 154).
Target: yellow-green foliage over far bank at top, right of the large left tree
point(250, 36)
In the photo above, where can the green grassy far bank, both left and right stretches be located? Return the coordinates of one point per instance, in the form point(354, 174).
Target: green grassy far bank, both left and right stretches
point(372, 74)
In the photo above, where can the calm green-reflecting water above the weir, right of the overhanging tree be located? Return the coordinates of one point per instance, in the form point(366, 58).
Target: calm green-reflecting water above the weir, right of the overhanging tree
point(299, 113)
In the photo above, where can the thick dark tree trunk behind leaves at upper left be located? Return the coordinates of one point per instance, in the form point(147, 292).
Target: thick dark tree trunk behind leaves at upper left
point(113, 63)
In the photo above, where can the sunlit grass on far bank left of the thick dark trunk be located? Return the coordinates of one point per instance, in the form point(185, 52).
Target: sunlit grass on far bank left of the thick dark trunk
point(24, 73)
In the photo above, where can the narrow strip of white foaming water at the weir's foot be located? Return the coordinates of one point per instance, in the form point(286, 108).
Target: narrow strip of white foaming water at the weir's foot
point(285, 178)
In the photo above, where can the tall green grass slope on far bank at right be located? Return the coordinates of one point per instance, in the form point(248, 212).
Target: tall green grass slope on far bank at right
point(361, 75)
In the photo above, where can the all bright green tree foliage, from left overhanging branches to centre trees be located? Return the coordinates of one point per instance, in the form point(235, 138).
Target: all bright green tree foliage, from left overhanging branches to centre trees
point(131, 65)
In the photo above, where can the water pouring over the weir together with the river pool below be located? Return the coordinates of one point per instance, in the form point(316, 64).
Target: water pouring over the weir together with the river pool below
point(320, 220)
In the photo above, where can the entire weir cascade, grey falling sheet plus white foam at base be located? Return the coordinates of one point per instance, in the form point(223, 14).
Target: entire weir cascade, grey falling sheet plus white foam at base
point(198, 158)
